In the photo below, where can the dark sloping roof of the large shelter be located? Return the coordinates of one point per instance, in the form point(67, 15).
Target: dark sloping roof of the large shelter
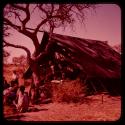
point(95, 57)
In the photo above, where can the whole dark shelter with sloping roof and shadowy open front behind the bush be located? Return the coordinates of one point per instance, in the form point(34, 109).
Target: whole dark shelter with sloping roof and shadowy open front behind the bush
point(94, 61)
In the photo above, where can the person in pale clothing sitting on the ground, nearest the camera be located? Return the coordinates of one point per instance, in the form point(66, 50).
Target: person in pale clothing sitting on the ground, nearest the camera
point(22, 100)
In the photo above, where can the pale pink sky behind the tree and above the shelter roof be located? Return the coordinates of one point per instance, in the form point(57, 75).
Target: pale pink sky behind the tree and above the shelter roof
point(103, 25)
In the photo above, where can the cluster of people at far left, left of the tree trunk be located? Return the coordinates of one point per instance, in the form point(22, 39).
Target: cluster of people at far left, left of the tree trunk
point(15, 94)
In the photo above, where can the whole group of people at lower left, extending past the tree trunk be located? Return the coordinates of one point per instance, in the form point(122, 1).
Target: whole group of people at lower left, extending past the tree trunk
point(17, 96)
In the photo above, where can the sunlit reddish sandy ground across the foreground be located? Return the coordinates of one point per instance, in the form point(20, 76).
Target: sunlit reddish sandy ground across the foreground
point(90, 109)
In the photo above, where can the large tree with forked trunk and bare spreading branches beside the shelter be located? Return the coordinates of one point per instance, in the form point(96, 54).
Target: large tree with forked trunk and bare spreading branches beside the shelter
point(51, 16)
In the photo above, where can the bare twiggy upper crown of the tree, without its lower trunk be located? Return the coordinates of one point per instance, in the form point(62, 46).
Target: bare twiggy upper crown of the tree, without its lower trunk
point(52, 14)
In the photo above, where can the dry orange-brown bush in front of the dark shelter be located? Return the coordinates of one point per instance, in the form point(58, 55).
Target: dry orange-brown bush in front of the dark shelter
point(68, 91)
